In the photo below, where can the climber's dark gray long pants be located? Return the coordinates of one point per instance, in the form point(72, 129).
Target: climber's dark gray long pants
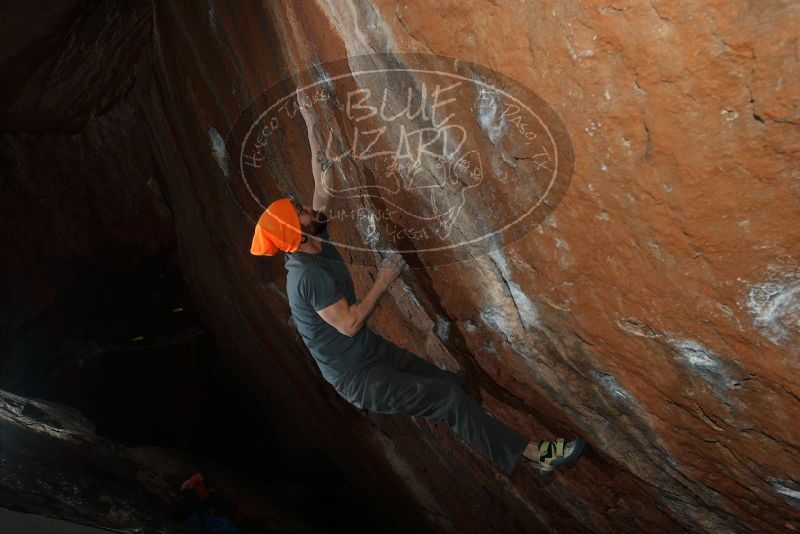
point(398, 382)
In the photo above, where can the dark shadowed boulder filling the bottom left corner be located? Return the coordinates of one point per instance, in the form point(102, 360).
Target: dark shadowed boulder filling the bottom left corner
point(54, 465)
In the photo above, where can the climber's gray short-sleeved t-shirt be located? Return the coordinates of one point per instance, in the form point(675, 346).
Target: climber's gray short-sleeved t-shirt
point(314, 282)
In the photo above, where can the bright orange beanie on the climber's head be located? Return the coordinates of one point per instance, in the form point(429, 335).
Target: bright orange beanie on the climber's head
point(278, 228)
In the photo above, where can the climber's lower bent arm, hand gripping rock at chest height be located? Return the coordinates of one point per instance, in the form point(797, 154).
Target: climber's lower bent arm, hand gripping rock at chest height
point(349, 319)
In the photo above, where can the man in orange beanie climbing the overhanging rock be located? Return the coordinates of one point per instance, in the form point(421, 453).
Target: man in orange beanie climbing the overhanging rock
point(365, 369)
